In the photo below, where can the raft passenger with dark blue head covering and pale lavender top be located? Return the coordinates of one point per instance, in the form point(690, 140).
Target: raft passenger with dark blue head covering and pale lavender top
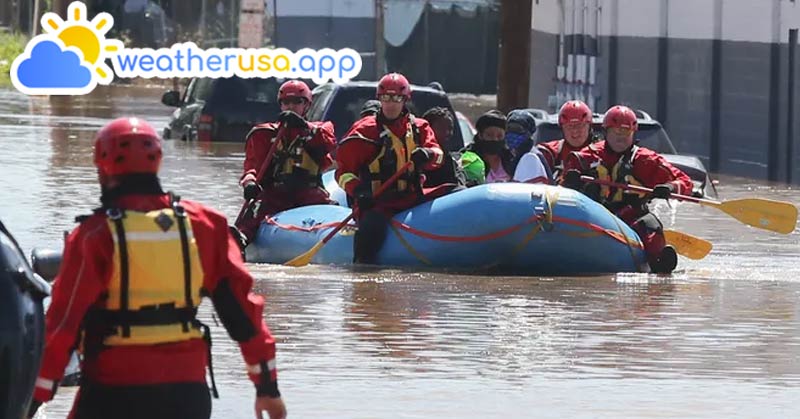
point(531, 166)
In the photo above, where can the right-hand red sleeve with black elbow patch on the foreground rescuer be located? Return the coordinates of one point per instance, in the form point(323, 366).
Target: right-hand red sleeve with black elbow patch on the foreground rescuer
point(231, 288)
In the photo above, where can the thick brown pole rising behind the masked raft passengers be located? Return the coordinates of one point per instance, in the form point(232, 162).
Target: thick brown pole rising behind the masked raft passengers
point(515, 54)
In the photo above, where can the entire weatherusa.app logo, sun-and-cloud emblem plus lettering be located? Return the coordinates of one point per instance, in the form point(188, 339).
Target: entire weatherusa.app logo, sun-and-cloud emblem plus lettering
point(70, 59)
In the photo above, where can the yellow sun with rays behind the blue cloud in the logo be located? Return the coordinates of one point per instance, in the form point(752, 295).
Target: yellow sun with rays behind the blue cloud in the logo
point(88, 37)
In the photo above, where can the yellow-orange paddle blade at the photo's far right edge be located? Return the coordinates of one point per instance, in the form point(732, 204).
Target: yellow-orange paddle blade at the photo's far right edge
point(777, 216)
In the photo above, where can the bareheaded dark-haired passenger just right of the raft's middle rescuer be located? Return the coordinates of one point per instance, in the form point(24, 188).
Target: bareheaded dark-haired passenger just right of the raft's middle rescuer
point(450, 173)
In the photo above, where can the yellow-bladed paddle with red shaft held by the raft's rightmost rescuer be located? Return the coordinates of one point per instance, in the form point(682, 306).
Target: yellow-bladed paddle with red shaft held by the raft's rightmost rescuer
point(766, 214)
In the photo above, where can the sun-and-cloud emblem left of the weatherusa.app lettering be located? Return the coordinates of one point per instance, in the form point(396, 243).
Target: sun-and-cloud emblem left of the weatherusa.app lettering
point(69, 58)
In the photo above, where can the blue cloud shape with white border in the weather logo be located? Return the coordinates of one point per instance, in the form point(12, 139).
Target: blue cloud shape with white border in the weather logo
point(51, 70)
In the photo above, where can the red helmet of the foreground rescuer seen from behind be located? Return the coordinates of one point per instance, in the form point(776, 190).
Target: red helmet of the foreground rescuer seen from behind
point(125, 146)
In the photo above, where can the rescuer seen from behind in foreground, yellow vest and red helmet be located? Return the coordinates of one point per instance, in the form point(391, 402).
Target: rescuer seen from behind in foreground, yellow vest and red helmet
point(132, 277)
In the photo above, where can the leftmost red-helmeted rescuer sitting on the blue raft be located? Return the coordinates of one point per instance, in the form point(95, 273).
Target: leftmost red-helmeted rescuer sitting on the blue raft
point(294, 176)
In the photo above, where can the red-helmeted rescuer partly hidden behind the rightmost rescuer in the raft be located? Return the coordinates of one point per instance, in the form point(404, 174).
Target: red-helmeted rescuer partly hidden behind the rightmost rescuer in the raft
point(575, 119)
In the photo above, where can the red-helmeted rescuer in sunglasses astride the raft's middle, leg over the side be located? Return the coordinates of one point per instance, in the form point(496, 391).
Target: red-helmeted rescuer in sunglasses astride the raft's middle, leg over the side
point(377, 147)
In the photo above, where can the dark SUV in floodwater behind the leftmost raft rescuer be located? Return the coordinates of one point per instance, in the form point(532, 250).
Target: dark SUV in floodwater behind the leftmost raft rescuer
point(222, 109)
